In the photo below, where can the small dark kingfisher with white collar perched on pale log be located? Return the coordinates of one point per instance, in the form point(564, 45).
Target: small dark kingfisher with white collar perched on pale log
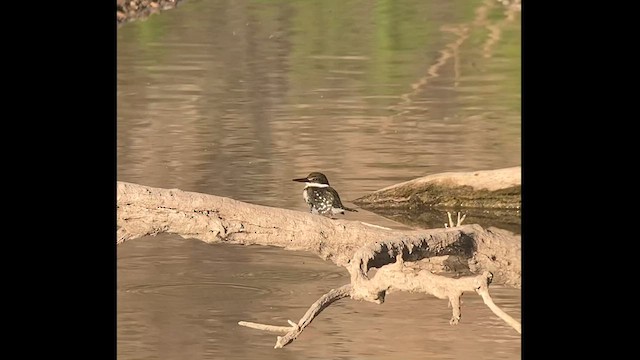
point(322, 198)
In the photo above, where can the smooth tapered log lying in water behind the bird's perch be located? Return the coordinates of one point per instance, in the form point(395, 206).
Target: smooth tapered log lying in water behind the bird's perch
point(487, 197)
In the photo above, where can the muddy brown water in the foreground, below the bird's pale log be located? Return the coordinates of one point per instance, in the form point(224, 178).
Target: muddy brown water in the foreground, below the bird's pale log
point(182, 299)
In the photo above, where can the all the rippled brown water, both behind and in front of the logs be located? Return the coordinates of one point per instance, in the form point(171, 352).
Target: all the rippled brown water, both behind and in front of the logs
point(235, 98)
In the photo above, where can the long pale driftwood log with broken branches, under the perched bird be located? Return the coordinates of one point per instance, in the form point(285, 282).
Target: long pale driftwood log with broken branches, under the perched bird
point(443, 262)
